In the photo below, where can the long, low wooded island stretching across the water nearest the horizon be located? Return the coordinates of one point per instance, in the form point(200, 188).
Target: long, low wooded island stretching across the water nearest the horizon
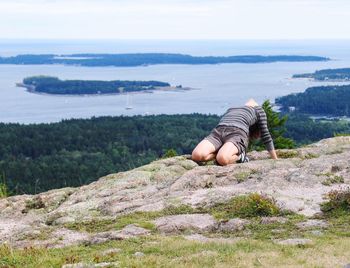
point(144, 59)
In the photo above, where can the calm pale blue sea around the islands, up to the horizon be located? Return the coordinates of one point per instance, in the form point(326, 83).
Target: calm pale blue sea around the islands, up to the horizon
point(214, 88)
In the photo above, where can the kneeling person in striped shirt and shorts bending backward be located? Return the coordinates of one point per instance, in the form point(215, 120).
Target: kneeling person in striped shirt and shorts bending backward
point(228, 141)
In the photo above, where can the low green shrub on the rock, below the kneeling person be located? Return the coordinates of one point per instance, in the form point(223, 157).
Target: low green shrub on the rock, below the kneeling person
point(246, 206)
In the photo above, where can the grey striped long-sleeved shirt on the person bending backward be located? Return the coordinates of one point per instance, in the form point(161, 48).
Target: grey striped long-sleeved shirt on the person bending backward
point(245, 117)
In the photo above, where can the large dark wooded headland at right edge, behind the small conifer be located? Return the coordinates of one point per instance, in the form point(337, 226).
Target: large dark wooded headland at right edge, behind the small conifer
point(323, 100)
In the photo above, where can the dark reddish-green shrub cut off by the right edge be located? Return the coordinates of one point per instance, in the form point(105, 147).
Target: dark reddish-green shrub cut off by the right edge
point(339, 200)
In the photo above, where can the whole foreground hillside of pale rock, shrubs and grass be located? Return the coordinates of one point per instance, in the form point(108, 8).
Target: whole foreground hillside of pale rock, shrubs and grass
point(174, 212)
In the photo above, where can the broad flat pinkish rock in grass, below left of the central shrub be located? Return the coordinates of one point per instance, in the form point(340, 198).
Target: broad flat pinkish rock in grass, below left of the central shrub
point(178, 223)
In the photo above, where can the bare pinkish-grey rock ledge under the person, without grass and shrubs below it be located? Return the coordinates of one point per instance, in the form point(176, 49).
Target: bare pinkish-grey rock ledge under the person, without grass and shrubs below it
point(298, 181)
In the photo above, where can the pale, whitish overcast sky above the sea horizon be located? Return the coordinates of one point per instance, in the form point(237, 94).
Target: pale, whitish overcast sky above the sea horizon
point(174, 19)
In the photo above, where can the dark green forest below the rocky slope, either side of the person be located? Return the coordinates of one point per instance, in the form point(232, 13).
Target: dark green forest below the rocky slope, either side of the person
point(39, 157)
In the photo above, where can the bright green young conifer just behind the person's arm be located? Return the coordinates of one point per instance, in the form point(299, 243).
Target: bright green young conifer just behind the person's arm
point(276, 125)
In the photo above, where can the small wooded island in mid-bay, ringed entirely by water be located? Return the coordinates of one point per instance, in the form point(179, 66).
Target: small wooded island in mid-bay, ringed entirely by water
point(53, 85)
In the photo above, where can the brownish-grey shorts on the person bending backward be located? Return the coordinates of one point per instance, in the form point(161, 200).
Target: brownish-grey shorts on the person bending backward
point(222, 134)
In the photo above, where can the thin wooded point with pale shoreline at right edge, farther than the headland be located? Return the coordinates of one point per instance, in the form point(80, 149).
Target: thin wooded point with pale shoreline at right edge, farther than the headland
point(341, 74)
